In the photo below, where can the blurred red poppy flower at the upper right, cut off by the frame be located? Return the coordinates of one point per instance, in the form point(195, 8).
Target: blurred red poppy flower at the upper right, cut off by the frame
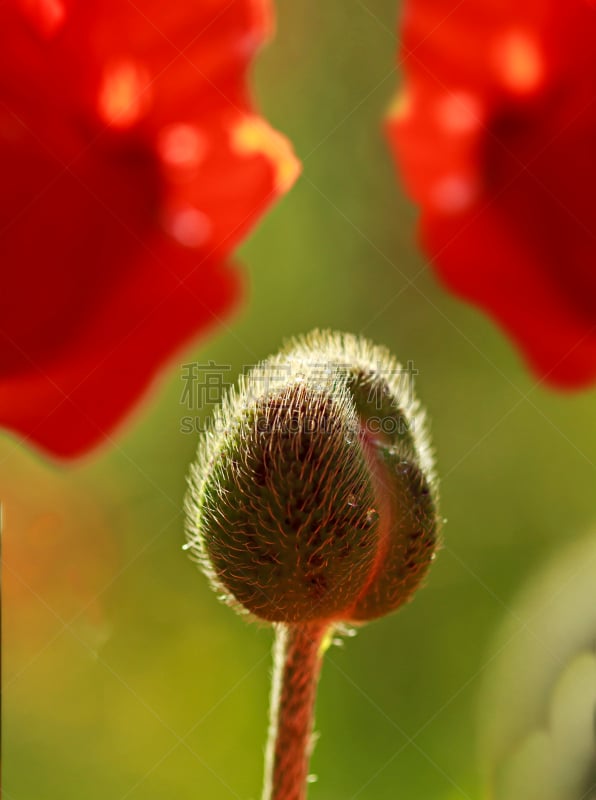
point(494, 134)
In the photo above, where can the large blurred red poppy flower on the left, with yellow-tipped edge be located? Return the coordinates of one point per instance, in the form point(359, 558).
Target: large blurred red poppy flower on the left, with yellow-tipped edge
point(132, 163)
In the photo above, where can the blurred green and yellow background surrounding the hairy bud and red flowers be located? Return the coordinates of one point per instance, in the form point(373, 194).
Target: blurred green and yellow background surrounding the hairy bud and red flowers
point(124, 677)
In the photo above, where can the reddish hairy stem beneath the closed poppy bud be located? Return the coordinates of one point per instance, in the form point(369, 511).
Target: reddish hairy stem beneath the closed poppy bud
point(296, 668)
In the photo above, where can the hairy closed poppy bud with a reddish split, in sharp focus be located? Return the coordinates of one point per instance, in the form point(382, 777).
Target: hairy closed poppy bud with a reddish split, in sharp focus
point(313, 497)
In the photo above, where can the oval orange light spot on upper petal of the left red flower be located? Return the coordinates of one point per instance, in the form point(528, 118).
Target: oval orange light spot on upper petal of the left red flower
point(123, 96)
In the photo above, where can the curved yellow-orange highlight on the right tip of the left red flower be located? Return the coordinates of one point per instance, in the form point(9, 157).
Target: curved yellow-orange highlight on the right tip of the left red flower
point(253, 136)
